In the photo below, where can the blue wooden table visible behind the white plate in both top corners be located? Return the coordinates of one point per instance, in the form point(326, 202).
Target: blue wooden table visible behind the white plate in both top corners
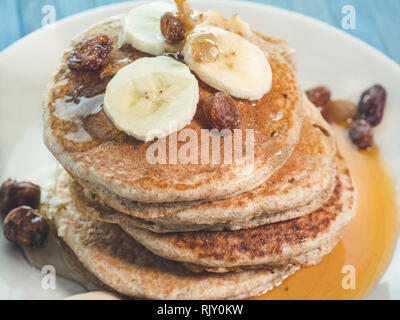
point(377, 21)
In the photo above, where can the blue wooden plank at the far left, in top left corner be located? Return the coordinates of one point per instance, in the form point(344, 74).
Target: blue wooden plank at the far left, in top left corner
point(11, 29)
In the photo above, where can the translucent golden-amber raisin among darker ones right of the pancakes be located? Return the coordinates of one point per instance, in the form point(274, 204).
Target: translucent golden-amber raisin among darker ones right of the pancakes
point(339, 111)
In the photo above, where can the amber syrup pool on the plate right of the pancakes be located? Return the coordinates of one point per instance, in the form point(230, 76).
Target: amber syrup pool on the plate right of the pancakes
point(368, 242)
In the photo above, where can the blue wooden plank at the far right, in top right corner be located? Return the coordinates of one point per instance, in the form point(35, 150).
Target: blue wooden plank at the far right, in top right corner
point(386, 15)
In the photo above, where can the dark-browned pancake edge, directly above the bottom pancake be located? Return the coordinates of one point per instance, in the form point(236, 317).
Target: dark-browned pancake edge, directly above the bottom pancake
point(266, 245)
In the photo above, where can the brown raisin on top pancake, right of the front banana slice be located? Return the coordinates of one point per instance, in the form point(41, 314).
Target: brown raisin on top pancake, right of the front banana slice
point(220, 112)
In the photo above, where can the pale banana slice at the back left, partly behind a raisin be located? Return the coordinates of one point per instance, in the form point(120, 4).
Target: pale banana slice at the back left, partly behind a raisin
point(141, 28)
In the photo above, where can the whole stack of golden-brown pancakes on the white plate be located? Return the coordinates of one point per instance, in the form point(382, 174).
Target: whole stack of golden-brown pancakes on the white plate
point(195, 231)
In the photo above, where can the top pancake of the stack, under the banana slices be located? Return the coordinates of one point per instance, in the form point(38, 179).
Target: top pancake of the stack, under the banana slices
point(86, 143)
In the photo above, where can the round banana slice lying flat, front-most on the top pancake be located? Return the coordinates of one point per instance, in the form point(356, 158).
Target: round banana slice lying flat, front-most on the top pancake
point(152, 97)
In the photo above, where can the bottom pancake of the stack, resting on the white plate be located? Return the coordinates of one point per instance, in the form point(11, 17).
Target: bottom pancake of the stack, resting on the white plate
point(120, 263)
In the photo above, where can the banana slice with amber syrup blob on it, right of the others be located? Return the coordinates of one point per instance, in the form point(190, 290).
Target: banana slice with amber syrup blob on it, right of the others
point(228, 62)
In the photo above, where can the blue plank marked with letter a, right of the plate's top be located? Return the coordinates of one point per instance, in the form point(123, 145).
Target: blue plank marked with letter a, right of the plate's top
point(365, 23)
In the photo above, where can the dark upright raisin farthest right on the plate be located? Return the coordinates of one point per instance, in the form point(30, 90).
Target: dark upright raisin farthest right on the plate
point(372, 105)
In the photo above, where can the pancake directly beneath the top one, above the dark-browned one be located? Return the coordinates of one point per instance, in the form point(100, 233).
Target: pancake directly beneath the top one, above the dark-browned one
point(301, 186)
